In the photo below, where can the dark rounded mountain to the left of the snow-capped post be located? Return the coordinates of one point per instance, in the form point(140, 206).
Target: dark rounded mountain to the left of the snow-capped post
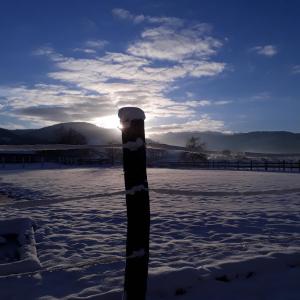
point(81, 132)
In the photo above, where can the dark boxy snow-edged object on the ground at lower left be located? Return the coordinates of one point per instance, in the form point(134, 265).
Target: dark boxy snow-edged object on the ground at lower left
point(17, 238)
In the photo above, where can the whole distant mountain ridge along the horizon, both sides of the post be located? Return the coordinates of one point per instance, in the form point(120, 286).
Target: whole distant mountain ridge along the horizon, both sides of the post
point(257, 141)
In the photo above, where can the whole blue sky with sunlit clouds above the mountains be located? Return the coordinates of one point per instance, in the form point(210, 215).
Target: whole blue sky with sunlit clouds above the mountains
point(229, 66)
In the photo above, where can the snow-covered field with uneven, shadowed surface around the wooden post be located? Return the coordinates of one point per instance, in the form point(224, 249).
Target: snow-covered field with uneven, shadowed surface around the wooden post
point(214, 234)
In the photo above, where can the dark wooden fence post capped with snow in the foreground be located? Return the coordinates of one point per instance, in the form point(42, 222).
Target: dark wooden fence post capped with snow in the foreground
point(137, 202)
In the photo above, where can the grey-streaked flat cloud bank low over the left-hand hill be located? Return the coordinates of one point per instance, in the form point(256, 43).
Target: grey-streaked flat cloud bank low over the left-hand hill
point(54, 103)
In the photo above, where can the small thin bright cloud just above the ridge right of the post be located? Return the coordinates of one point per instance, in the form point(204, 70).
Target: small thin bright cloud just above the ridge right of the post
point(205, 123)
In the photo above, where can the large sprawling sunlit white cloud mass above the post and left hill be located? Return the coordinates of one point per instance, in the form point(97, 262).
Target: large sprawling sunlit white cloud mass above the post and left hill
point(91, 87)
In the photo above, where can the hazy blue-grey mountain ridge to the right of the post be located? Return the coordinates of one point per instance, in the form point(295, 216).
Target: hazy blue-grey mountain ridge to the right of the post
point(260, 141)
